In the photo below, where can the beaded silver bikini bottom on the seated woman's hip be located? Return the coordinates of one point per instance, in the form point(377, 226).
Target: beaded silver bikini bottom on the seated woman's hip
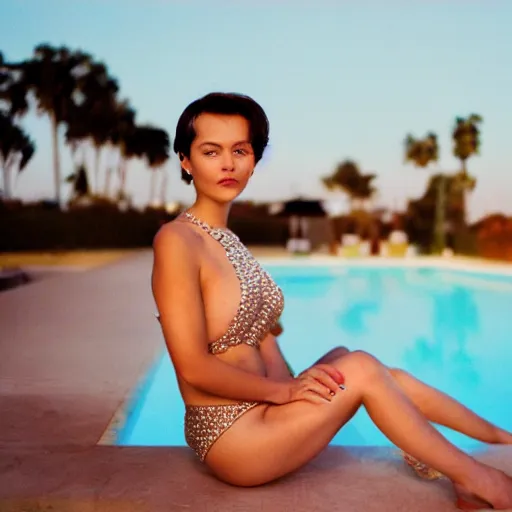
point(204, 424)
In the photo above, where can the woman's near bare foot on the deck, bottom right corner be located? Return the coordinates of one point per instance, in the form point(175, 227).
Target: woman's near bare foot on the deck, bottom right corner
point(493, 492)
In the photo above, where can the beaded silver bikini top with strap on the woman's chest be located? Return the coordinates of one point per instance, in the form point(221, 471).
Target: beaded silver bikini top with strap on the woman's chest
point(261, 302)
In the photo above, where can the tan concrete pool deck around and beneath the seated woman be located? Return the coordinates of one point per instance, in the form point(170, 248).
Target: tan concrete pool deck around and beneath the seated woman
point(73, 346)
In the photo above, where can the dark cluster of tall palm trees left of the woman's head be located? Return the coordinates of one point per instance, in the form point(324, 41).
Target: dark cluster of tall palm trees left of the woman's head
point(77, 94)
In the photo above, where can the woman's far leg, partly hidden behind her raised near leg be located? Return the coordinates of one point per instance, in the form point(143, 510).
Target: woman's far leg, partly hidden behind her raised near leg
point(437, 406)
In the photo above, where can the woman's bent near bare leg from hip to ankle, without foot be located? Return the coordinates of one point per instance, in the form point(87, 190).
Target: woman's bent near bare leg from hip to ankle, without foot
point(290, 435)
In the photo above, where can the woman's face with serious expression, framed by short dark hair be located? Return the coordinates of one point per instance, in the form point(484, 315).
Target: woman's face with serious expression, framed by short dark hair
point(221, 156)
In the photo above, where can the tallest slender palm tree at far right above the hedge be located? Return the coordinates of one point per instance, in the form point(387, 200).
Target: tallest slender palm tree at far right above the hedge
point(466, 143)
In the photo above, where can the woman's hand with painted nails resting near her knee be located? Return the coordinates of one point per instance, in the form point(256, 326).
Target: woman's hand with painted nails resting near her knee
point(317, 384)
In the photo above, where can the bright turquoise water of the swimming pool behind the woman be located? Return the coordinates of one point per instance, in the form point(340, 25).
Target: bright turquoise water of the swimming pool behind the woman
point(449, 328)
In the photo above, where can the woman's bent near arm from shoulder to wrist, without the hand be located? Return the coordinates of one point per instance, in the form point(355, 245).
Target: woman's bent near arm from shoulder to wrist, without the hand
point(177, 292)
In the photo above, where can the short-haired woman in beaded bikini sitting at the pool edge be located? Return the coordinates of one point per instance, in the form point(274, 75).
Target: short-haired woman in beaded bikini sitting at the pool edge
point(246, 417)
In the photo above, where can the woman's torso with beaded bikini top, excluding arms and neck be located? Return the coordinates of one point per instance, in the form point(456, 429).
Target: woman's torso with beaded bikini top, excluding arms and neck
point(238, 297)
